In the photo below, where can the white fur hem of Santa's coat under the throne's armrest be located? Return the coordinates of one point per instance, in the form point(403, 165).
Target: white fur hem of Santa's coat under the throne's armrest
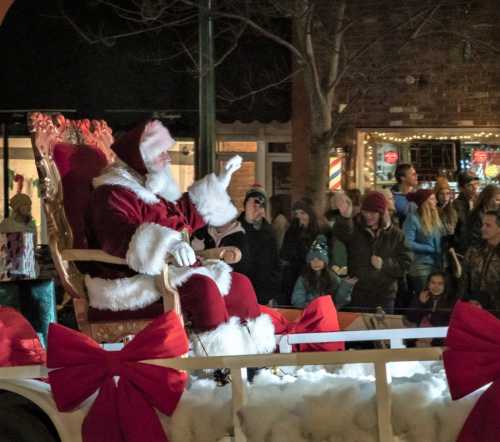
point(132, 293)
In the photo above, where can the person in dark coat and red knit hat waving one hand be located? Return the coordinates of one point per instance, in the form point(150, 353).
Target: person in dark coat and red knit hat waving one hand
point(377, 252)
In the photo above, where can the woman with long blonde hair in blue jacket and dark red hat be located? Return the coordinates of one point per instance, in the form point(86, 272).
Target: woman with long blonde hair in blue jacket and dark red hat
point(423, 230)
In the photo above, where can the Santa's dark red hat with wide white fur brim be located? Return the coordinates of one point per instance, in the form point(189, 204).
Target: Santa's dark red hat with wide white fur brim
point(142, 145)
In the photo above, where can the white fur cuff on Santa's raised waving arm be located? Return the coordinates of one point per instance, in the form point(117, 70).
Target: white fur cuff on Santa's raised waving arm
point(212, 201)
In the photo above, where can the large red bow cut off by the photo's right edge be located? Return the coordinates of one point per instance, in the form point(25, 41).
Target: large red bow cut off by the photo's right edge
point(471, 361)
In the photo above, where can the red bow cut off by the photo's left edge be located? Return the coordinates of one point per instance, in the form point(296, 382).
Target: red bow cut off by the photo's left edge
point(19, 343)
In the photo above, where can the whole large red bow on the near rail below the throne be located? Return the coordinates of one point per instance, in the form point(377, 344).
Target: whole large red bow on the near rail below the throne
point(122, 411)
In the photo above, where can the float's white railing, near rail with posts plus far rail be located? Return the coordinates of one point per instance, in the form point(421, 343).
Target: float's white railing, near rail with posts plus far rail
point(238, 365)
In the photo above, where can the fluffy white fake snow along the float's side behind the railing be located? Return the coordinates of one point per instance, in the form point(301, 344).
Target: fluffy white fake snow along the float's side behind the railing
point(331, 404)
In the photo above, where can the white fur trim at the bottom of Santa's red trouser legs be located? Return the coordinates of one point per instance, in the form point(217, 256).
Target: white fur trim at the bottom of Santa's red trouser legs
point(233, 338)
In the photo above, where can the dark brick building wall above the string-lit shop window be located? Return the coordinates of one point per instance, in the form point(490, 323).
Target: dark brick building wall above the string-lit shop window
point(448, 79)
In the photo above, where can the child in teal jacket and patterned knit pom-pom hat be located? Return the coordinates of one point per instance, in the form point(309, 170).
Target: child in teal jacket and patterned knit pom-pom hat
point(317, 279)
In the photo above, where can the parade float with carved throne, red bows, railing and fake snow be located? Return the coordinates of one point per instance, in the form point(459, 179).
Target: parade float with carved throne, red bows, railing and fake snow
point(133, 378)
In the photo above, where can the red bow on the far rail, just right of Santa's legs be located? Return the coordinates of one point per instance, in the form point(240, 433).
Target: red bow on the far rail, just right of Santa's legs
point(319, 316)
